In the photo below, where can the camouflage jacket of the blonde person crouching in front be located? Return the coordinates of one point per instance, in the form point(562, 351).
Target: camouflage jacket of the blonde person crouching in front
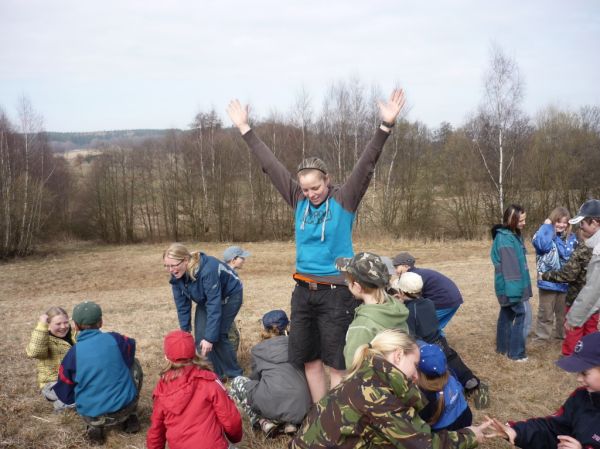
point(375, 408)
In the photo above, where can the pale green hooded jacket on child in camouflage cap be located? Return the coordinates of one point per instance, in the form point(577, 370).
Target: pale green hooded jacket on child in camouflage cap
point(369, 319)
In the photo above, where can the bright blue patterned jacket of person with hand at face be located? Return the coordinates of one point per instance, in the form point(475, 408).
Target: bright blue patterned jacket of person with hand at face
point(552, 253)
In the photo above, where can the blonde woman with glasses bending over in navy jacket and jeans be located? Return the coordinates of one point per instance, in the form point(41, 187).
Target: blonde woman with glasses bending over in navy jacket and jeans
point(217, 292)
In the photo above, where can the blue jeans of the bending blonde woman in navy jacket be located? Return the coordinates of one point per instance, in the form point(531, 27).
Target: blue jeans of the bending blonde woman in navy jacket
point(222, 356)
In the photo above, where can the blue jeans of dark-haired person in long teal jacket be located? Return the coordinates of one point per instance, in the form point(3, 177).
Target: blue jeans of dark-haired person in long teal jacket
point(510, 336)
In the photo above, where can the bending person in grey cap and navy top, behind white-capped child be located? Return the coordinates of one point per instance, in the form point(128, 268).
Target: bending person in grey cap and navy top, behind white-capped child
point(436, 287)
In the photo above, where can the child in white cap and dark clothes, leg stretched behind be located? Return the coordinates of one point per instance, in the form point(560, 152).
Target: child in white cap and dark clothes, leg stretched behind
point(423, 325)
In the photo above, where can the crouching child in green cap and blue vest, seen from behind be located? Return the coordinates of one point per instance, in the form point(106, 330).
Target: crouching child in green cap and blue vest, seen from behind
point(100, 375)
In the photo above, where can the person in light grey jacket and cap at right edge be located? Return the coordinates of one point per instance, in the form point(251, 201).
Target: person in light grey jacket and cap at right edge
point(584, 311)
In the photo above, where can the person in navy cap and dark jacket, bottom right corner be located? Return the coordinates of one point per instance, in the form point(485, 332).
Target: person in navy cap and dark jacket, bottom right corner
point(575, 425)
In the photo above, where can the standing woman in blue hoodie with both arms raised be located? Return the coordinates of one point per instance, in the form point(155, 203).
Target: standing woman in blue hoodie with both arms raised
point(324, 214)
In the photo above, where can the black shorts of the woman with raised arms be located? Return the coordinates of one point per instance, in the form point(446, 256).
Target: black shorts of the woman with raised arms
point(318, 325)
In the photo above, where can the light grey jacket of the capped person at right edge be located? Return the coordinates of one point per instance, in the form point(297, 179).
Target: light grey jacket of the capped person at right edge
point(587, 302)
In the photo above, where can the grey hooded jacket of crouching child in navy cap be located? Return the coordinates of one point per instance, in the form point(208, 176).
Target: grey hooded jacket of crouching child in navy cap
point(277, 390)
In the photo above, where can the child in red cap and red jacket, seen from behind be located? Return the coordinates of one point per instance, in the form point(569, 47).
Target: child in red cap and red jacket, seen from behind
point(191, 406)
